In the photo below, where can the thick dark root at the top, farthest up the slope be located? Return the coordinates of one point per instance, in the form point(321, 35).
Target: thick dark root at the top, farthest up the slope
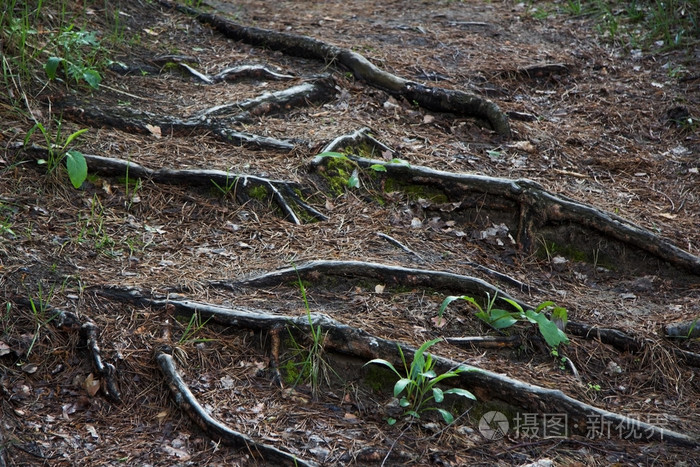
point(431, 98)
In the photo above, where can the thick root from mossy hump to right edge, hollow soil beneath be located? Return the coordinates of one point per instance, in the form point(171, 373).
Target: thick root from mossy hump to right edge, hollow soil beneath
point(529, 210)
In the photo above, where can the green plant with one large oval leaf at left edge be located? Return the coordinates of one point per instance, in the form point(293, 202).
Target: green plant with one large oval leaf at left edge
point(57, 149)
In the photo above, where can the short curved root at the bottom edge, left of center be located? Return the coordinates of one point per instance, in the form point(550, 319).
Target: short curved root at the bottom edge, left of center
point(215, 429)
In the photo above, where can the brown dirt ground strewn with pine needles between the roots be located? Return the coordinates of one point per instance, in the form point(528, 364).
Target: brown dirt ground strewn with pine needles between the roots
point(604, 126)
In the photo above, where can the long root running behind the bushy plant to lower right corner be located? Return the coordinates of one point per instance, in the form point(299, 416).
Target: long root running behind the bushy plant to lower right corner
point(358, 343)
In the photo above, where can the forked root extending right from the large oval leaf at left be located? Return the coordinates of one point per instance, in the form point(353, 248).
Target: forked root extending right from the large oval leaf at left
point(280, 191)
